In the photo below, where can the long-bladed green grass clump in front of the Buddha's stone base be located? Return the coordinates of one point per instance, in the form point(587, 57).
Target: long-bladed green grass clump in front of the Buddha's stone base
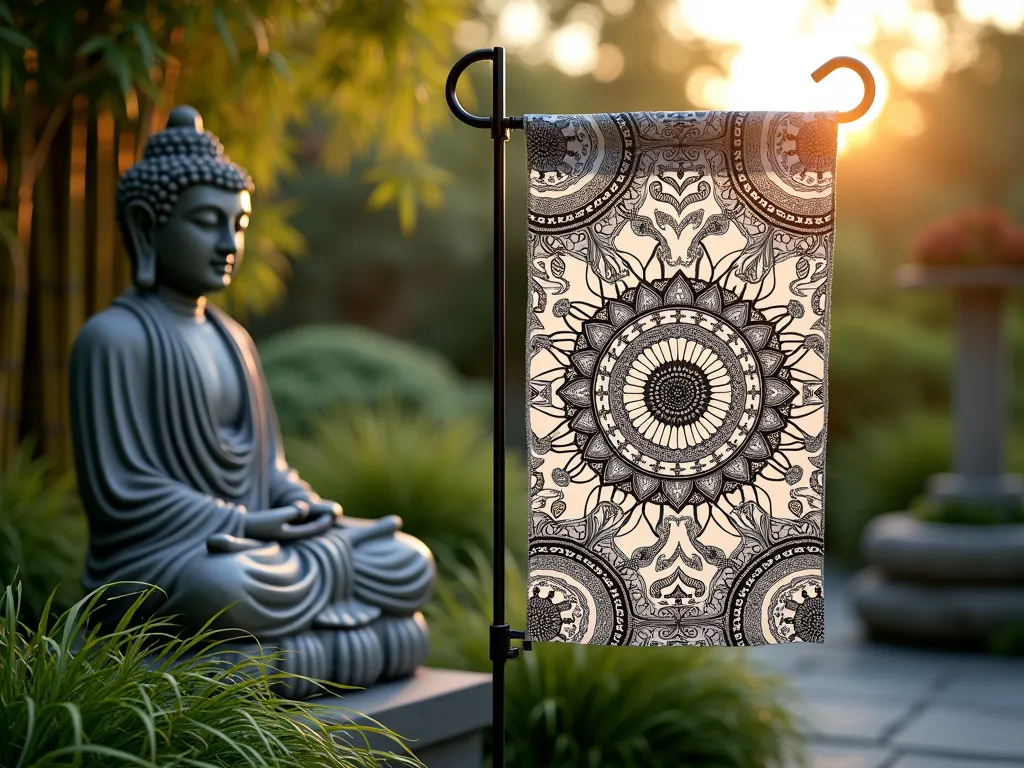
point(140, 697)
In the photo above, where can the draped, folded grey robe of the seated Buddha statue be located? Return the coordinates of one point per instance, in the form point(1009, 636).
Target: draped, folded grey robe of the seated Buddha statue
point(159, 478)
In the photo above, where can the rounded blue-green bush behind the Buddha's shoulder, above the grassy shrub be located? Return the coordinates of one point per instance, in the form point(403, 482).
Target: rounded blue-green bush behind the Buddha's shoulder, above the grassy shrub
point(314, 370)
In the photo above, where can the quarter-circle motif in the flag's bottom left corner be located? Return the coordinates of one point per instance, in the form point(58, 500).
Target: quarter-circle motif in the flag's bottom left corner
point(575, 596)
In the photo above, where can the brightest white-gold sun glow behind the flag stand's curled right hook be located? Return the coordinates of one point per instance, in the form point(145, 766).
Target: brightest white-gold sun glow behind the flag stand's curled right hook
point(754, 72)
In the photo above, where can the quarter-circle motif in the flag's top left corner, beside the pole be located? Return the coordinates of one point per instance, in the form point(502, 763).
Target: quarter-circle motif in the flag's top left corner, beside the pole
point(580, 165)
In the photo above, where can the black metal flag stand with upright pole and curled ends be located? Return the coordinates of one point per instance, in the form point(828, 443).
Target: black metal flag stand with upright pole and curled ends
point(501, 125)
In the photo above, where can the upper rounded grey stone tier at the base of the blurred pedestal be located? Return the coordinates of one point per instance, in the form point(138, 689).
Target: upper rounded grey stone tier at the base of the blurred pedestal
point(911, 550)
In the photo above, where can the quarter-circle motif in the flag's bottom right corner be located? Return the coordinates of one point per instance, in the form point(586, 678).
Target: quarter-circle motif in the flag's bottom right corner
point(779, 598)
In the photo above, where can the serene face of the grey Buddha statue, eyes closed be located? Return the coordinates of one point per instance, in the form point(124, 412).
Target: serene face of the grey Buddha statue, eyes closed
point(200, 247)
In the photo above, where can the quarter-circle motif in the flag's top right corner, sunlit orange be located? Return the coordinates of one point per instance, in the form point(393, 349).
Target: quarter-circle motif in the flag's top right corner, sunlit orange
point(783, 166)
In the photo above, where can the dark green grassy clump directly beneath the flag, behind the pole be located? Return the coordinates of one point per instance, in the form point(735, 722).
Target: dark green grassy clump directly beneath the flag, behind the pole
point(578, 707)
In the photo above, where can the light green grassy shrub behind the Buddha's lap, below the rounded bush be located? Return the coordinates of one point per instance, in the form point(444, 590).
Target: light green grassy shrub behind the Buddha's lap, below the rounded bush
point(438, 478)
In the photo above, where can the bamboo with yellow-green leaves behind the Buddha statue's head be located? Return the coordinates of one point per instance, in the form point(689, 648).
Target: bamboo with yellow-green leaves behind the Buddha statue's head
point(83, 86)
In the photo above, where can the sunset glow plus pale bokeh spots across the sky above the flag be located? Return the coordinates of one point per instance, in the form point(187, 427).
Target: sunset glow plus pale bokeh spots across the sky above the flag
point(763, 54)
